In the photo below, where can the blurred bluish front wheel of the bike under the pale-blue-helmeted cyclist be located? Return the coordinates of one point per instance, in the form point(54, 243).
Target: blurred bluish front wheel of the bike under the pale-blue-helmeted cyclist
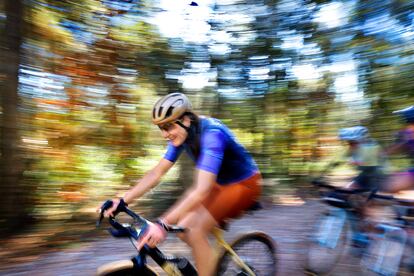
point(328, 243)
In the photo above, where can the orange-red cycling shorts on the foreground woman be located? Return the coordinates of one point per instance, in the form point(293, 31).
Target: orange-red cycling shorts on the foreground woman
point(229, 201)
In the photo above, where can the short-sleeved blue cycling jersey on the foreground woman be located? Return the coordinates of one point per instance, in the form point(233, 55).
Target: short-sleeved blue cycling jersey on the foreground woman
point(220, 153)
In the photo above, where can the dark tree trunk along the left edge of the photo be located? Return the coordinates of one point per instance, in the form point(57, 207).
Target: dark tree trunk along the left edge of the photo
point(11, 209)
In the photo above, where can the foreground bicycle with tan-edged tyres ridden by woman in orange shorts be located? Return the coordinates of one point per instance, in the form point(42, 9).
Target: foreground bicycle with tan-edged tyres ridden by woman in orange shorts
point(250, 254)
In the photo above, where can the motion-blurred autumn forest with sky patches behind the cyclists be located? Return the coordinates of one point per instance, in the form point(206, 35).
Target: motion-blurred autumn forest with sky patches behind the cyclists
point(78, 80)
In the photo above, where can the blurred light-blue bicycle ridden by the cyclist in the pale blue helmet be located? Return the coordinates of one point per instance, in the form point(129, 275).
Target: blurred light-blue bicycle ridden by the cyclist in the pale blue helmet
point(334, 230)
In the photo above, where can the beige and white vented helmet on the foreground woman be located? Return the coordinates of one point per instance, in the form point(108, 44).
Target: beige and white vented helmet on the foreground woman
point(170, 108)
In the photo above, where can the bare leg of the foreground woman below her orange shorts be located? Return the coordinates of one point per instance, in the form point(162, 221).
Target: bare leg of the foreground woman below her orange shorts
point(200, 223)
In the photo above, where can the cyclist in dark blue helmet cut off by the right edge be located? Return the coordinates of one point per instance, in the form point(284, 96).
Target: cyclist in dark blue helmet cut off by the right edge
point(404, 144)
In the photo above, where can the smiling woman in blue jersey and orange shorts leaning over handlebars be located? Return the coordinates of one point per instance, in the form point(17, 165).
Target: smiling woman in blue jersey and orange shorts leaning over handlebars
point(227, 180)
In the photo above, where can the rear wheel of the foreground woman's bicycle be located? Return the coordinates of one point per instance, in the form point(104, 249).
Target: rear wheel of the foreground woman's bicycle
point(256, 250)
